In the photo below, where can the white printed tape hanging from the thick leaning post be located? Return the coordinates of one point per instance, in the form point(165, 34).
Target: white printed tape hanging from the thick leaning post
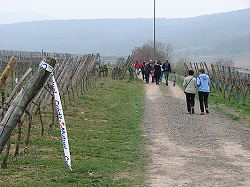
point(60, 115)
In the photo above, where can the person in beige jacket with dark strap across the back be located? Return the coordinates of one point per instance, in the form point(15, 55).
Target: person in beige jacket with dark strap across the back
point(190, 90)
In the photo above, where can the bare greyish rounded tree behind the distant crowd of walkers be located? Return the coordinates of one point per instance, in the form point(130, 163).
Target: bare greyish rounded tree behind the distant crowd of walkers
point(163, 51)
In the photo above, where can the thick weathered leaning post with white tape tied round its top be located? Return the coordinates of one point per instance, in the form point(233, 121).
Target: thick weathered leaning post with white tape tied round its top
point(21, 101)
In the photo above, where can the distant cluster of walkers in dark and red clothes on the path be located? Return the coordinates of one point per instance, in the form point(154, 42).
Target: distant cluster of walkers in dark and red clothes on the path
point(156, 70)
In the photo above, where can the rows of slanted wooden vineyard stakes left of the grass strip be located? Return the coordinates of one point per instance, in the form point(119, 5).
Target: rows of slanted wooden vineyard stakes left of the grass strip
point(26, 89)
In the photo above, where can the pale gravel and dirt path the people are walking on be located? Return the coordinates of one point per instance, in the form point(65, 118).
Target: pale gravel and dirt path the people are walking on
point(192, 150)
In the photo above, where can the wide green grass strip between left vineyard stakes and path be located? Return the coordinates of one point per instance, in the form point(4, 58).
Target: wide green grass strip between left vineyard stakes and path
point(105, 137)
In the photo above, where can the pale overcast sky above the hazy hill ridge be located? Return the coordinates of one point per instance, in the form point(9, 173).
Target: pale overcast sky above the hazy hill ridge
point(29, 10)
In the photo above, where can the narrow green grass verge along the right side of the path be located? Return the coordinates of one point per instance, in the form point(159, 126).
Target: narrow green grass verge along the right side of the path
point(237, 111)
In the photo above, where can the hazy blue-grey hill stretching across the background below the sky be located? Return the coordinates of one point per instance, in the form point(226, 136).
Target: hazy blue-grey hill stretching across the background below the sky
point(223, 34)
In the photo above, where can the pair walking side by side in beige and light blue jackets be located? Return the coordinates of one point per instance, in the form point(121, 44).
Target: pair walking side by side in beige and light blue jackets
point(202, 83)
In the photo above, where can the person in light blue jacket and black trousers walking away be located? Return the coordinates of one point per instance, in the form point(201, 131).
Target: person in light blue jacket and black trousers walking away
point(203, 84)
